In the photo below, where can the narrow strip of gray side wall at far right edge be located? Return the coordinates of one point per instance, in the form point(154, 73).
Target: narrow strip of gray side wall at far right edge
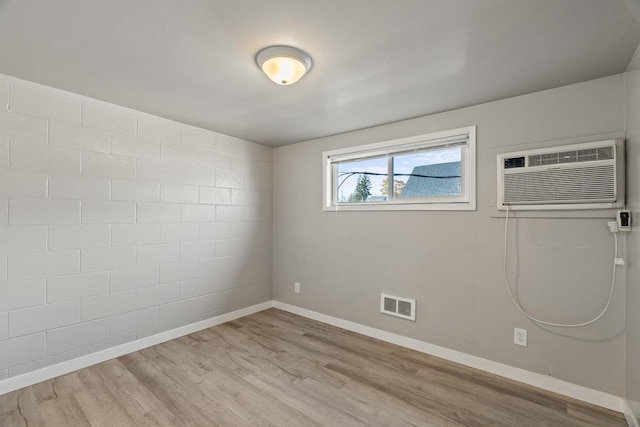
point(633, 240)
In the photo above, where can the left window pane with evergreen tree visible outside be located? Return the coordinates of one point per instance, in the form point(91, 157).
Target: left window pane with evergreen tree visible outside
point(362, 181)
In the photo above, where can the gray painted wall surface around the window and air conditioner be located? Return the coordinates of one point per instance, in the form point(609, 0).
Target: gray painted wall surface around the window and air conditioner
point(451, 262)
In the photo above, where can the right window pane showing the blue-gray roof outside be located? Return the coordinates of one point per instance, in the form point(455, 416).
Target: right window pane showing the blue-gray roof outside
point(428, 173)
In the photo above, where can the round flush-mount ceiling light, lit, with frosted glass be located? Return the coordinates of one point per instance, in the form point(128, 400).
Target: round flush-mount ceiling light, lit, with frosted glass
point(285, 65)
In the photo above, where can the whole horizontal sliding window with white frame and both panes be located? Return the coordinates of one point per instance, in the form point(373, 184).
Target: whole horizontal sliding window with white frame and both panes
point(426, 172)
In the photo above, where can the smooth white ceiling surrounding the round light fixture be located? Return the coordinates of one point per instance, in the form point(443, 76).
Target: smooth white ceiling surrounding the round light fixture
point(375, 61)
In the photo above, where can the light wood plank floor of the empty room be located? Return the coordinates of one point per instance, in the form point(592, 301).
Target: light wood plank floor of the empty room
point(277, 369)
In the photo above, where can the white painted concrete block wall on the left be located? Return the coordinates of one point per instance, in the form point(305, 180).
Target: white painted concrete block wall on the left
point(112, 223)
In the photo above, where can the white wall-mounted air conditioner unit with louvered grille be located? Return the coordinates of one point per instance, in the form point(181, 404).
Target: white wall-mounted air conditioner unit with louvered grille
point(578, 176)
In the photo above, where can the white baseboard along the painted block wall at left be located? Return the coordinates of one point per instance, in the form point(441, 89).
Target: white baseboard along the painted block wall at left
point(14, 383)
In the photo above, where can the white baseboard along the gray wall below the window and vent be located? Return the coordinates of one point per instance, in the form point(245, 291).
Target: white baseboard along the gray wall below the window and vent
point(544, 382)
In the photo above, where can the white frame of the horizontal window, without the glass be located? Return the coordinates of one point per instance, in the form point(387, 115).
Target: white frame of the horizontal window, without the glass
point(466, 137)
